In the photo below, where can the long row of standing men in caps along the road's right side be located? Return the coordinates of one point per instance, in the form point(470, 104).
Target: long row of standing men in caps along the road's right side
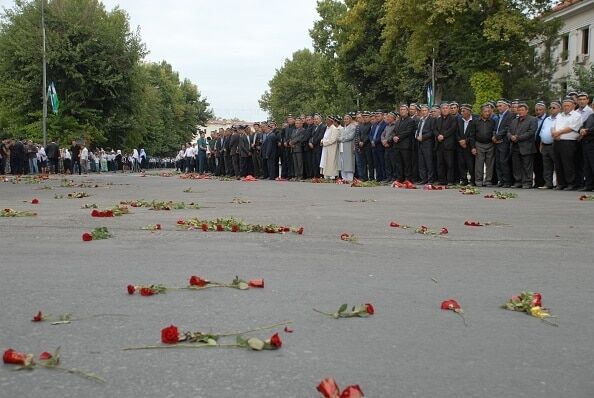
point(505, 145)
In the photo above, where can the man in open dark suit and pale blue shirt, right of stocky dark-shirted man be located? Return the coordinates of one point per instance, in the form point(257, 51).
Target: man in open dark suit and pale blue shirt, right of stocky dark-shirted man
point(502, 144)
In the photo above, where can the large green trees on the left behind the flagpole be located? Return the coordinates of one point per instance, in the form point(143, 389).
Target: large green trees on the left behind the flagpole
point(108, 95)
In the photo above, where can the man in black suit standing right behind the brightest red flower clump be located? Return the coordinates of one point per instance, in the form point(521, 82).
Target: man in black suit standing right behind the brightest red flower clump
point(401, 138)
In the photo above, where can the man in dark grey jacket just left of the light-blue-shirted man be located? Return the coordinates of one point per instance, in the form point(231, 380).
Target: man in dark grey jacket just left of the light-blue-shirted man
point(521, 134)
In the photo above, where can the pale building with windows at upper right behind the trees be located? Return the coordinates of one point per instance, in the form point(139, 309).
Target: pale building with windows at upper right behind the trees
point(575, 43)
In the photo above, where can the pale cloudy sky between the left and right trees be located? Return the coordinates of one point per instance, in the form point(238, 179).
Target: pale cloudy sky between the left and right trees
point(229, 48)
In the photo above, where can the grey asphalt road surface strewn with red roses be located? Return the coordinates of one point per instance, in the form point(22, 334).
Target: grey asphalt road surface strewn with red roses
point(540, 241)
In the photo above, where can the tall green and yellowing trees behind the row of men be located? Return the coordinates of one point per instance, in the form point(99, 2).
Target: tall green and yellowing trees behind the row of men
point(383, 49)
